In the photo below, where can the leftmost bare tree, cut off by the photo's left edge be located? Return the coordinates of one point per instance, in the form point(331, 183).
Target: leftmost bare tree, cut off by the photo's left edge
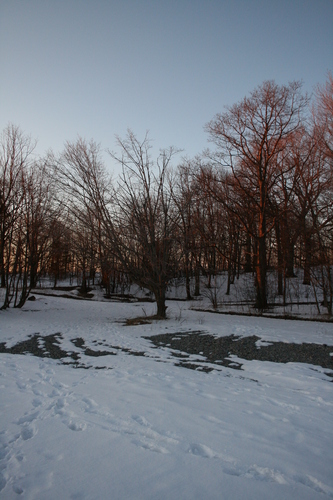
point(24, 212)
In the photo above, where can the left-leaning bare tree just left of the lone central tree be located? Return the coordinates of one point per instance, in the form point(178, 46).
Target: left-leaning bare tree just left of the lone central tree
point(83, 191)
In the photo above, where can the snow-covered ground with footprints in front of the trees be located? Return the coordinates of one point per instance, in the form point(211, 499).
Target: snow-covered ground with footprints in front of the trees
point(143, 428)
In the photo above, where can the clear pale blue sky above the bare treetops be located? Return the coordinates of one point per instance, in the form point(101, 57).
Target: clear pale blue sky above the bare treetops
point(94, 68)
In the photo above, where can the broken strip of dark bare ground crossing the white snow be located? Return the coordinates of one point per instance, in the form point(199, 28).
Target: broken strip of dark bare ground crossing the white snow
point(183, 347)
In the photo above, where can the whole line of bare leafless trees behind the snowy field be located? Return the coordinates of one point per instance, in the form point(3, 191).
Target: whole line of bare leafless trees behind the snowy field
point(260, 202)
